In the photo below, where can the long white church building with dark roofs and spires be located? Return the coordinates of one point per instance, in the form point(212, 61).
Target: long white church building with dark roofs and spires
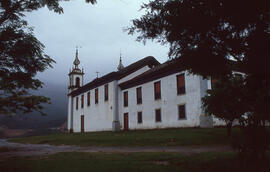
point(142, 95)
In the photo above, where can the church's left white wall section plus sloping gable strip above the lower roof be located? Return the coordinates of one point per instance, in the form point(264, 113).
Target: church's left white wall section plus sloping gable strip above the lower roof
point(99, 117)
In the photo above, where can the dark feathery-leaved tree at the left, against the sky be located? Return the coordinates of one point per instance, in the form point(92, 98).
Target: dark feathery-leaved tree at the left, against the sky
point(22, 56)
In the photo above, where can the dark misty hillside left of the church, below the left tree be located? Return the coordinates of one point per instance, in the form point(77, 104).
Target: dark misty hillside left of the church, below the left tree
point(56, 111)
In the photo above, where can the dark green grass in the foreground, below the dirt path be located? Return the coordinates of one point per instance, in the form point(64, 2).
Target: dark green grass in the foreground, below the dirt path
point(85, 162)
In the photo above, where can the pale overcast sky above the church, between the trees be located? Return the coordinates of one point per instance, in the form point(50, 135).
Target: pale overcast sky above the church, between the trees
point(98, 30)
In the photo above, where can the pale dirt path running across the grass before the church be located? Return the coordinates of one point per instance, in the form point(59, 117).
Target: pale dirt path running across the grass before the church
point(17, 149)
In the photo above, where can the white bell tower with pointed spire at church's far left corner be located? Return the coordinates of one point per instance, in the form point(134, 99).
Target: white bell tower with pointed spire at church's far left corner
point(75, 75)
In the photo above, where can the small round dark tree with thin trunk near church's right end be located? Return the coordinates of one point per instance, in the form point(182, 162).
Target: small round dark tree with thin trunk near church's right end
point(225, 100)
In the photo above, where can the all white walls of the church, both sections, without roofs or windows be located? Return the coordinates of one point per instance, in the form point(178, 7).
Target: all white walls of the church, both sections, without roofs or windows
point(100, 117)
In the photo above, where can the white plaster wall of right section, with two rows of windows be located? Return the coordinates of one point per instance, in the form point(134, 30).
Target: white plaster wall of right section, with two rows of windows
point(168, 104)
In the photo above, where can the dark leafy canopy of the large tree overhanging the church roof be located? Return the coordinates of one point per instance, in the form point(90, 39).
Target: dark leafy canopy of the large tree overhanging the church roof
point(206, 33)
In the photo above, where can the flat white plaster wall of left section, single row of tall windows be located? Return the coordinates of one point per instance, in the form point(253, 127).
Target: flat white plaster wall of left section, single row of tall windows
point(97, 117)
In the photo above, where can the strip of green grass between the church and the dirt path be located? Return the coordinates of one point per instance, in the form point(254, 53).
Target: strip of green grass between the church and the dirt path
point(165, 137)
